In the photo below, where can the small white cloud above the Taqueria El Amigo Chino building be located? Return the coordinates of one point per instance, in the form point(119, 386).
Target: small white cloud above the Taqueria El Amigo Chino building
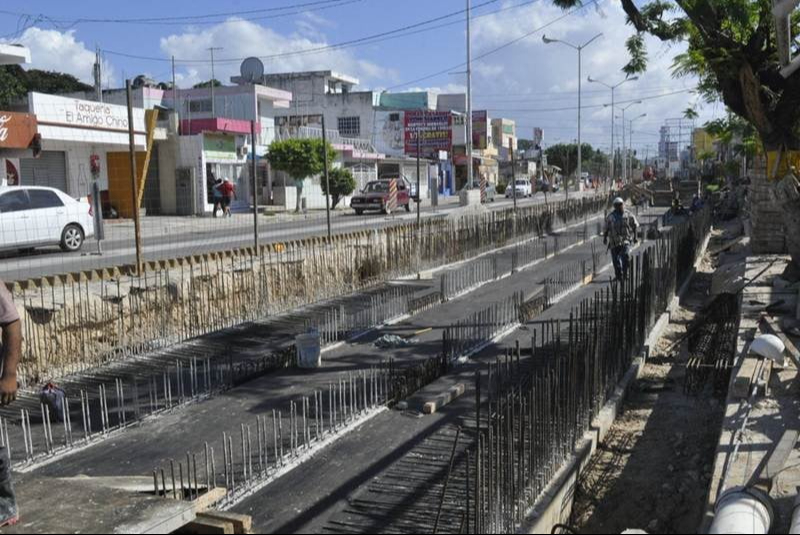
point(53, 50)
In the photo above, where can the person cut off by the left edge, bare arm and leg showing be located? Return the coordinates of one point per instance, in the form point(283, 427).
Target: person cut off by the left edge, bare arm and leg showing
point(10, 351)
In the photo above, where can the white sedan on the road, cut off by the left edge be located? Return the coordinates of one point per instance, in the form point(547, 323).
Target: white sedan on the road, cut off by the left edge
point(33, 217)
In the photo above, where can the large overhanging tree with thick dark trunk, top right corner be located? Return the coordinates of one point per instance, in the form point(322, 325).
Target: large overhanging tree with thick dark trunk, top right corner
point(732, 49)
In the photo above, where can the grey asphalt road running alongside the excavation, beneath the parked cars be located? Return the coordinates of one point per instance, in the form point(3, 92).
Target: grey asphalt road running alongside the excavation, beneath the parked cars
point(166, 239)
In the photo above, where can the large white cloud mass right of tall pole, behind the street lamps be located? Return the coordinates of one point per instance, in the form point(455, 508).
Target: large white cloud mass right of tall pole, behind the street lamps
point(532, 75)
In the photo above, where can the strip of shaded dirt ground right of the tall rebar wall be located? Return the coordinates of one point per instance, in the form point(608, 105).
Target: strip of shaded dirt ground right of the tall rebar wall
point(653, 470)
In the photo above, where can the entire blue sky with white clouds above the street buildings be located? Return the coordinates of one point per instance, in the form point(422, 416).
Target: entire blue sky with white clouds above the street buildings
point(528, 81)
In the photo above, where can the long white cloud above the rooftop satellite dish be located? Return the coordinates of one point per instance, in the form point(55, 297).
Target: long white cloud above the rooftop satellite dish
point(241, 39)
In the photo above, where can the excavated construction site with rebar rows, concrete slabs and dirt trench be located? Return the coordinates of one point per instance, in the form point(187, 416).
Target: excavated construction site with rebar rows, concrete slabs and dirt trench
point(475, 374)
